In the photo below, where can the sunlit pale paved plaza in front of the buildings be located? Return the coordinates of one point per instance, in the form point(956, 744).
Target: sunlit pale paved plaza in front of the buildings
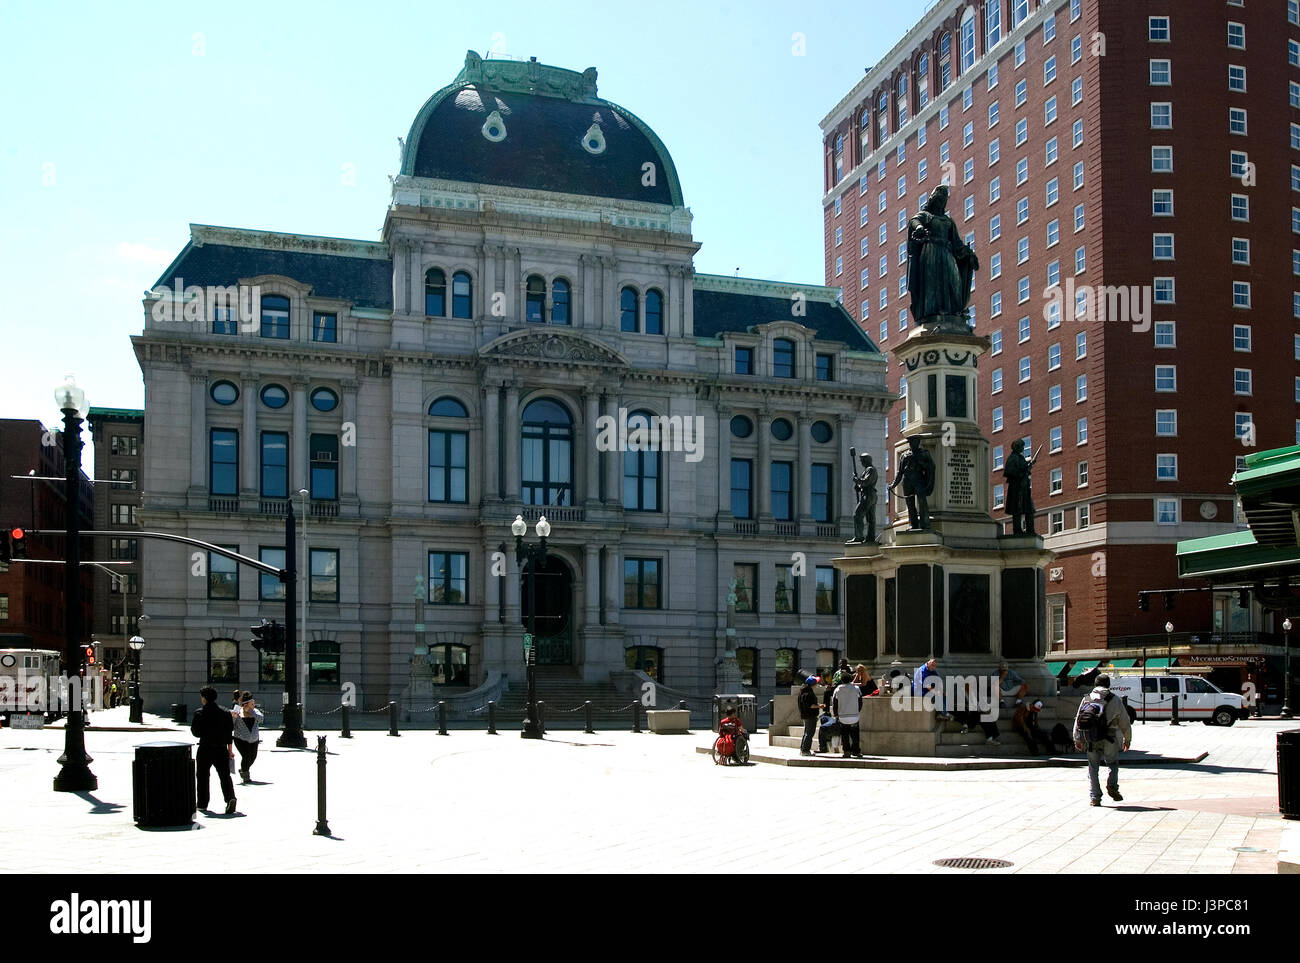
point(625, 802)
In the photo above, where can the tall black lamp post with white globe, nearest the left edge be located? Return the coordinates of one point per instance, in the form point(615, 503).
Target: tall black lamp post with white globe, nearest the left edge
point(75, 777)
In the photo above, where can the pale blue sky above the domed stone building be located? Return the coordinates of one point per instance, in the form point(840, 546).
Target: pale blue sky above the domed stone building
point(120, 125)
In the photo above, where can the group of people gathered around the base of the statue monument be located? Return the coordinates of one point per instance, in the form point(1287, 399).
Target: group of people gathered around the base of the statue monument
point(842, 710)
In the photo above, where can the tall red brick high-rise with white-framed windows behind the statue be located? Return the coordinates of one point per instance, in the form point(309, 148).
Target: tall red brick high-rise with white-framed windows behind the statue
point(1094, 146)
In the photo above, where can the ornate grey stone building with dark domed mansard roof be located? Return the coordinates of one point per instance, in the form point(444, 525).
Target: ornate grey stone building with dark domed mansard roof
point(530, 319)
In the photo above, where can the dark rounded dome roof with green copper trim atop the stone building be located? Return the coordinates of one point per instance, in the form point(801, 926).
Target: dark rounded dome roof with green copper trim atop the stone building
point(539, 128)
